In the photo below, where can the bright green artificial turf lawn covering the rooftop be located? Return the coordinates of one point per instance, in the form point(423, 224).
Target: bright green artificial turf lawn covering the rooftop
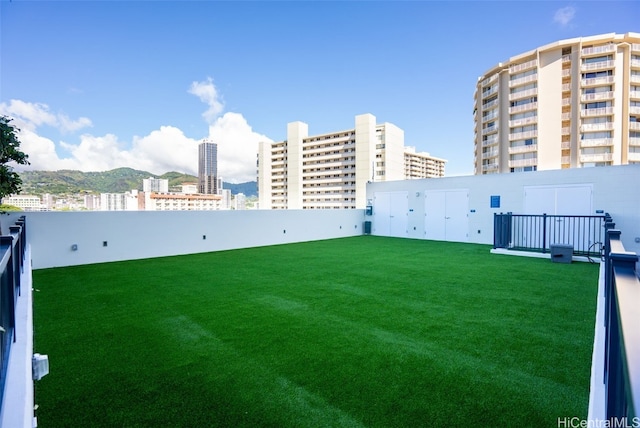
point(364, 331)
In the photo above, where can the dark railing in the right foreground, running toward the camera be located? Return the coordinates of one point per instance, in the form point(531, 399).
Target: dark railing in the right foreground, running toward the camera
point(622, 332)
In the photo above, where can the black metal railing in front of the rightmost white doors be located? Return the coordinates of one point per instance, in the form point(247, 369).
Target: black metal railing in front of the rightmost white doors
point(538, 232)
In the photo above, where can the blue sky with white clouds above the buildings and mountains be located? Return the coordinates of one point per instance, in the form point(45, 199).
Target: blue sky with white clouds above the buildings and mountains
point(96, 85)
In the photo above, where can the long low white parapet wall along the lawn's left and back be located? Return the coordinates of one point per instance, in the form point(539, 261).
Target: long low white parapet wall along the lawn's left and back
point(145, 234)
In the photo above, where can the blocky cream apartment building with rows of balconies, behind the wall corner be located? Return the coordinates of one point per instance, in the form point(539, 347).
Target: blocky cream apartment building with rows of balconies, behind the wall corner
point(329, 171)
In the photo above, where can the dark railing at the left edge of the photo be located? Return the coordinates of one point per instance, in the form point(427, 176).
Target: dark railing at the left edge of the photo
point(12, 250)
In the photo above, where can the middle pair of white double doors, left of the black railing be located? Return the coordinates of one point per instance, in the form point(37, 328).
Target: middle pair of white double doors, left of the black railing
point(446, 215)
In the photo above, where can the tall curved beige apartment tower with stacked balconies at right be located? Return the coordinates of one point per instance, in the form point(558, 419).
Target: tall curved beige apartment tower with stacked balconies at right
point(570, 104)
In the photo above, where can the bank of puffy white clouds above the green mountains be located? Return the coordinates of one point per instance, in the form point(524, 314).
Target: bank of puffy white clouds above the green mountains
point(162, 150)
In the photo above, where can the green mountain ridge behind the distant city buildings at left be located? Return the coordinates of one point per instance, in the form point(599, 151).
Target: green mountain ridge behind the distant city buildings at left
point(67, 182)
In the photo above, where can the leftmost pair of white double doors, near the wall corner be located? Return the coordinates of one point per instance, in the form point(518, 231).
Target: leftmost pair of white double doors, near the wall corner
point(390, 211)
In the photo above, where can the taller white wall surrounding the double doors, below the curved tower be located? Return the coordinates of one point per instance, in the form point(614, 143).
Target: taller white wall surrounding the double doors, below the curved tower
point(616, 190)
